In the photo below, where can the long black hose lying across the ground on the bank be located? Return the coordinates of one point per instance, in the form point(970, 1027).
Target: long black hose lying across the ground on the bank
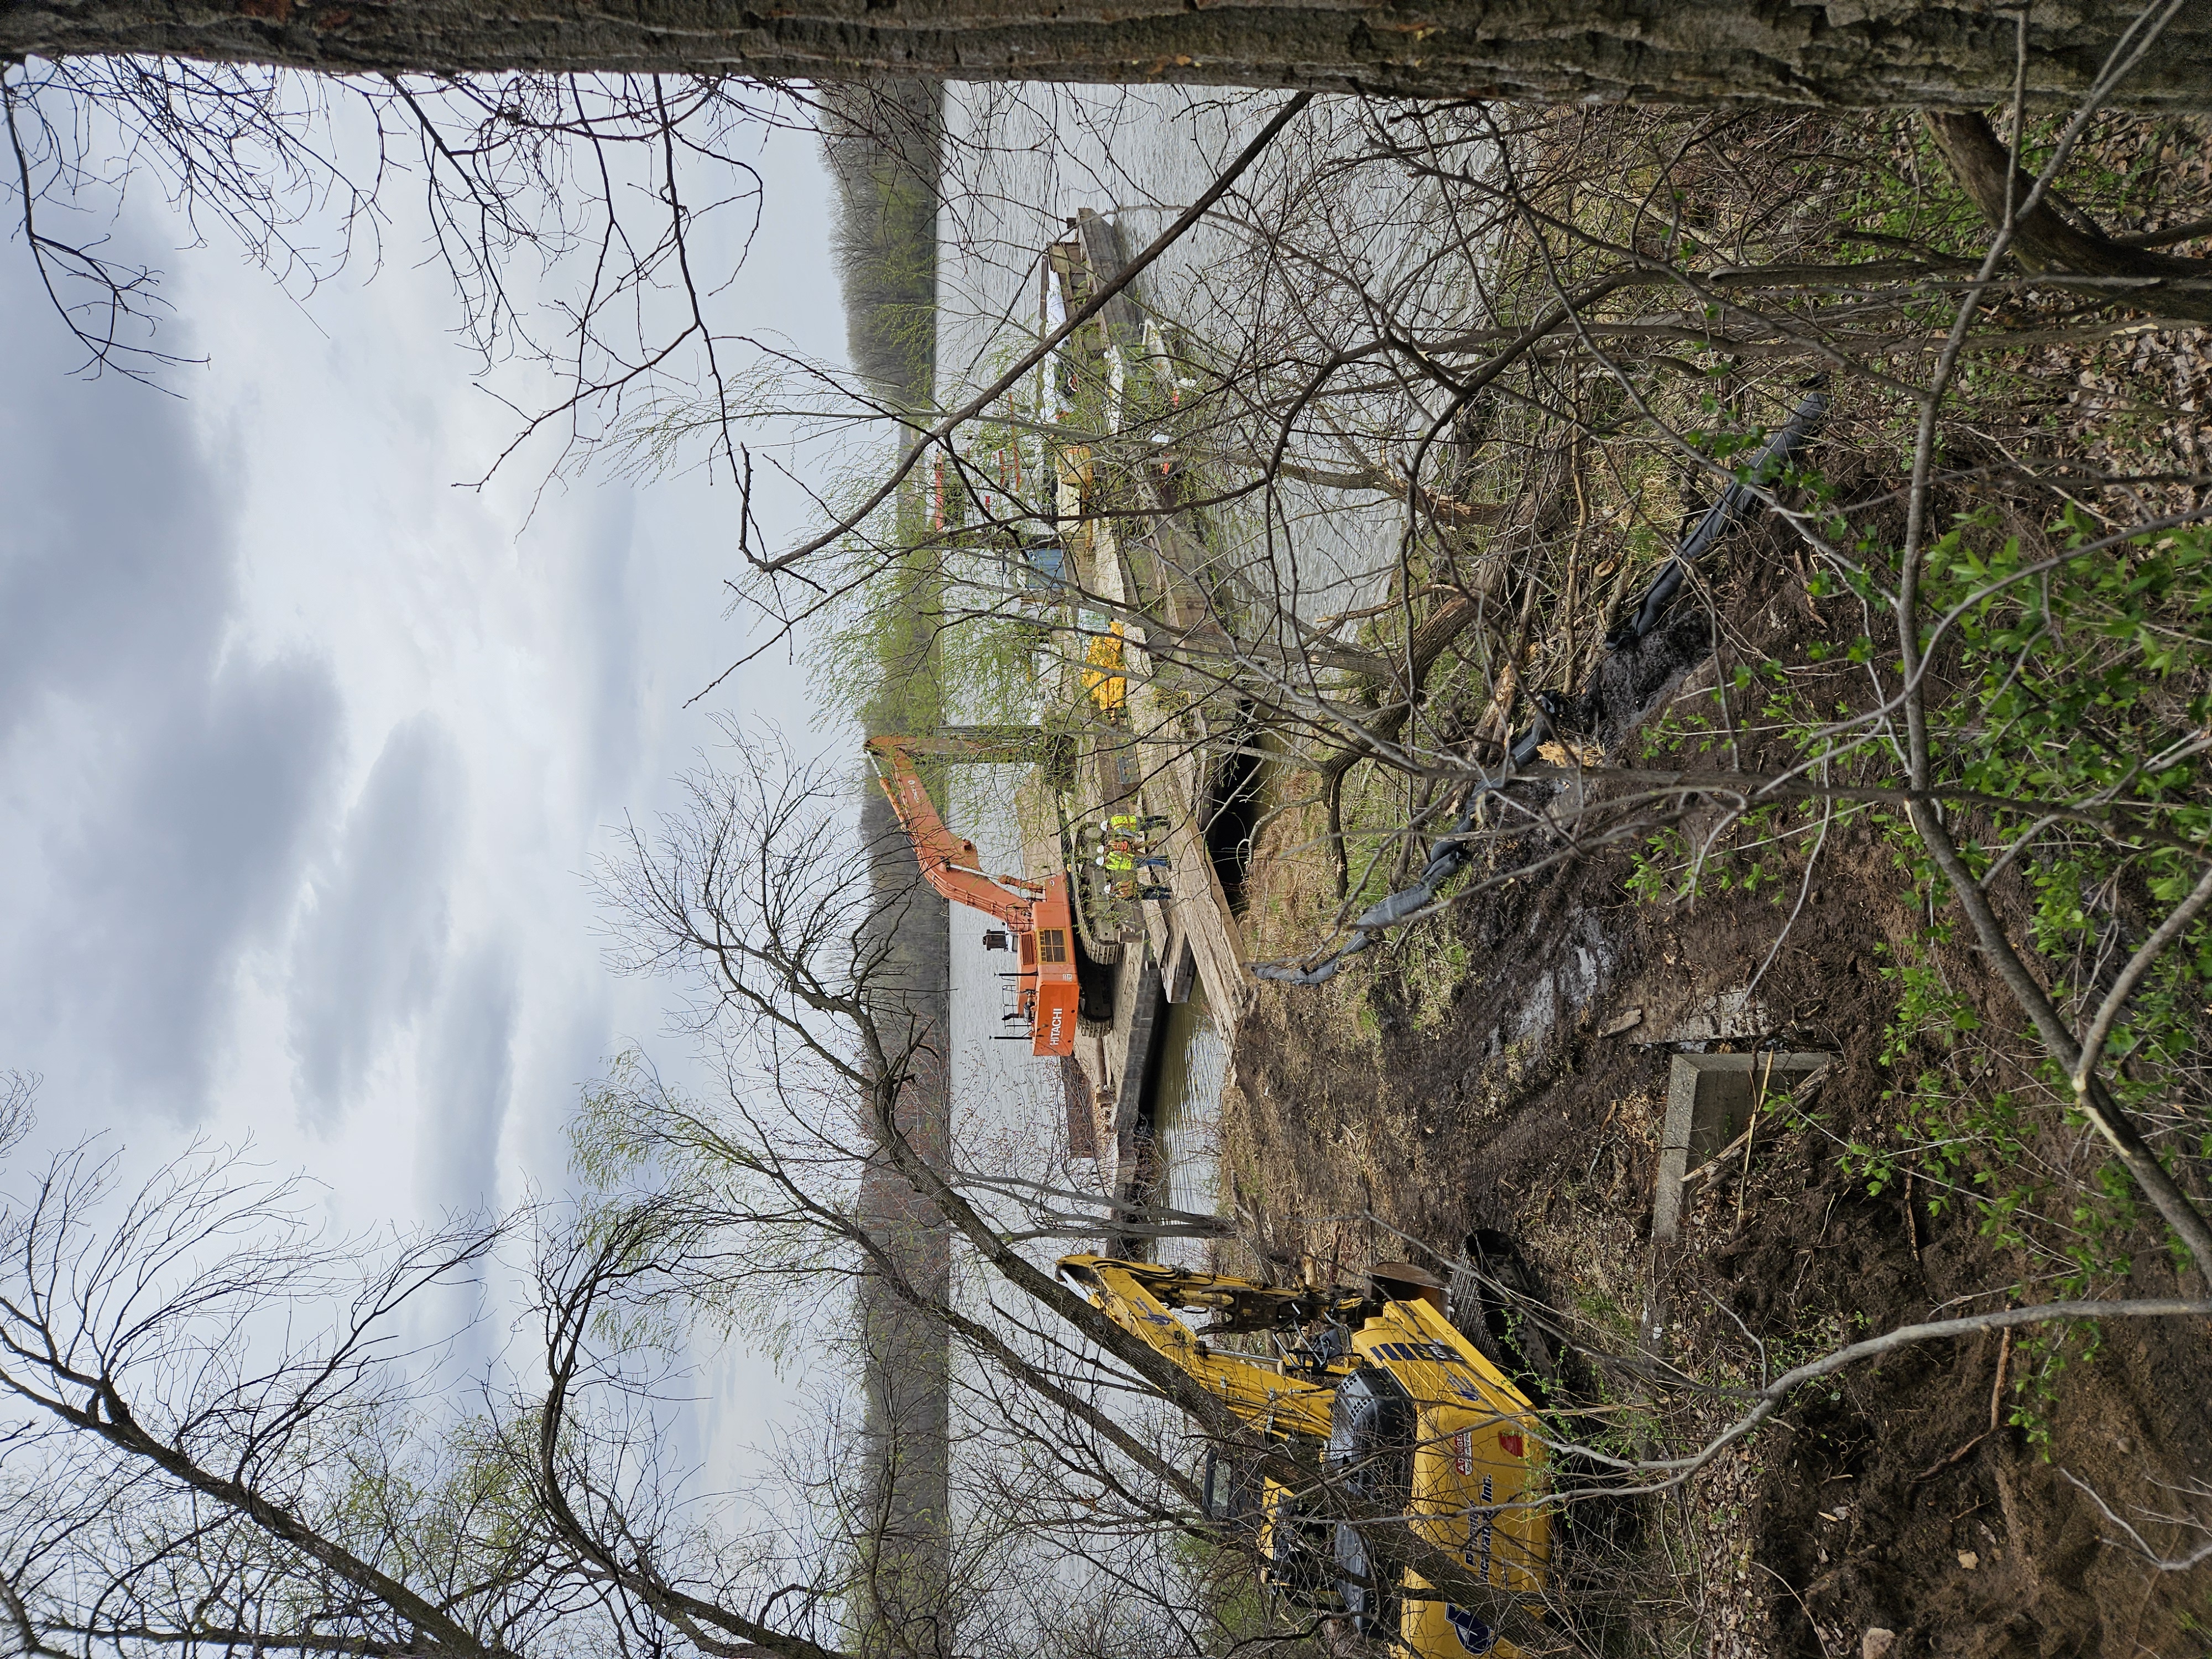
point(1640, 620)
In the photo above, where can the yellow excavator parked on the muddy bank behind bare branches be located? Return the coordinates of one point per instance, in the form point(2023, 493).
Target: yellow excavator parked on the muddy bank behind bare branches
point(1401, 1408)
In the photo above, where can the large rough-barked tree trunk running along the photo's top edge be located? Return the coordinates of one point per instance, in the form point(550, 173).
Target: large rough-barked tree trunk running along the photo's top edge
point(1689, 52)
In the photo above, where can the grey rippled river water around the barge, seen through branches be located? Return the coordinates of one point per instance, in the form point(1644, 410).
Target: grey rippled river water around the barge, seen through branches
point(1021, 163)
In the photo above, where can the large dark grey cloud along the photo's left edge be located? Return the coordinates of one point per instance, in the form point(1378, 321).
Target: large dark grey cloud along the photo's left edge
point(160, 791)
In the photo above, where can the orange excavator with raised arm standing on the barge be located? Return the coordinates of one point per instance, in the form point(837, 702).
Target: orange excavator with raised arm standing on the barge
point(1054, 994)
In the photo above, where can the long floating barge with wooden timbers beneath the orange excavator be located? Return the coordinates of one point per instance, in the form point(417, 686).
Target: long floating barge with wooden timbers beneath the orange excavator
point(1147, 744)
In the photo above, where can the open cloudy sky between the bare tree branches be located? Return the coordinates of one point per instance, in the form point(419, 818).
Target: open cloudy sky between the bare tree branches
point(306, 753)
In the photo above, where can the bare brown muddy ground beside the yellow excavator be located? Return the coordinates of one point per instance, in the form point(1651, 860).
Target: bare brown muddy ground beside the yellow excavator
point(1530, 1098)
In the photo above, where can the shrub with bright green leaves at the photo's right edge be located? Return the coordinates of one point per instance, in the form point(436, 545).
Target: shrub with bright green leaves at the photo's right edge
point(2069, 716)
